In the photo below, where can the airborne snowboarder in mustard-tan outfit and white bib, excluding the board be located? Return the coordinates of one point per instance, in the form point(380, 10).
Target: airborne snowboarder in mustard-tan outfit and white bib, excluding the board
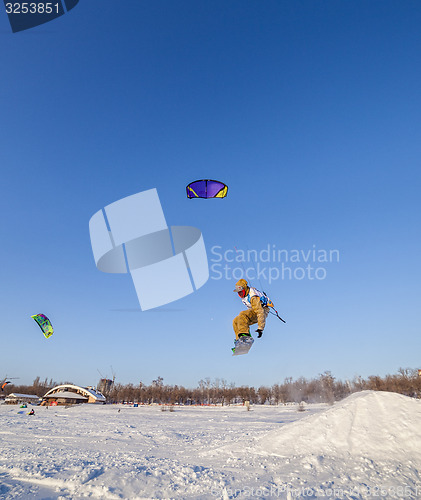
point(256, 312)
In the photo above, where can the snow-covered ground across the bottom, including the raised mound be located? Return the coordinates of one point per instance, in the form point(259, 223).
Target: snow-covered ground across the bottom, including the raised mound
point(366, 446)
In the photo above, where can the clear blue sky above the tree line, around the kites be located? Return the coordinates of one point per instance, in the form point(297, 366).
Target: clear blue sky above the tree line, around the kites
point(308, 110)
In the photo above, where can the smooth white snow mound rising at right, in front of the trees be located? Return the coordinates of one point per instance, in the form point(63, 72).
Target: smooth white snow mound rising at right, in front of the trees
point(366, 424)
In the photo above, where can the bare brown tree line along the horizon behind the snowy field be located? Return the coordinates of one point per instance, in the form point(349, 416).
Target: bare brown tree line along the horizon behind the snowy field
point(325, 388)
